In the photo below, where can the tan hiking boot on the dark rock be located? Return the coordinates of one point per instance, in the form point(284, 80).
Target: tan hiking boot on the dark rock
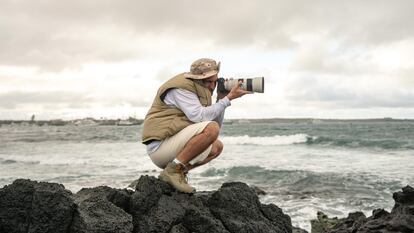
point(173, 174)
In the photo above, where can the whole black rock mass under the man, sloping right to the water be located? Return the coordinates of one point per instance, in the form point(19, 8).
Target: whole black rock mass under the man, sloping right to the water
point(235, 207)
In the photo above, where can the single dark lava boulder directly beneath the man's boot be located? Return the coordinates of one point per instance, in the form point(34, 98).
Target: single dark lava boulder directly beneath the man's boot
point(157, 207)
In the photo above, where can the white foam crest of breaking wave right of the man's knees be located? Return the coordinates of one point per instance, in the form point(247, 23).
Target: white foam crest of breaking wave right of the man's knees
point(271, 141)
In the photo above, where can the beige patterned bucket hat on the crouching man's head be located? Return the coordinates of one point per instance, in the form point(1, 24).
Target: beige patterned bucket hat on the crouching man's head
point(203, 68)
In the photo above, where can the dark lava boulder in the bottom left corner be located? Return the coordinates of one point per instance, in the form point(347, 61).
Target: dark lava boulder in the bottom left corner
point(30, 206)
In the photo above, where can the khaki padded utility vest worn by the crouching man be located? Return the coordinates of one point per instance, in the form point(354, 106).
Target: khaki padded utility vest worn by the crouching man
point(163, 121)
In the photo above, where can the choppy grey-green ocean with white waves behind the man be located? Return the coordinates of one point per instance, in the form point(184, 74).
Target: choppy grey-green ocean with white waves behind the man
point(304, 166)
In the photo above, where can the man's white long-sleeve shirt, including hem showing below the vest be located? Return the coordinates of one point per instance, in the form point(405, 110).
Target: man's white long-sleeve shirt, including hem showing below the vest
point(189, 103)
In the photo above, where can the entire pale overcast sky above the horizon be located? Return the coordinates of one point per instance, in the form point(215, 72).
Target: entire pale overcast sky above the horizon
point(106, 58)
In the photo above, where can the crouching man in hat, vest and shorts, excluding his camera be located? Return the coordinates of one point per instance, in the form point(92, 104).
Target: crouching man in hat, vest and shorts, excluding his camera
point(182, 126)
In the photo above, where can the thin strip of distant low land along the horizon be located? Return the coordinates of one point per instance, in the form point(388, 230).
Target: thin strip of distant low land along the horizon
point(133, 121)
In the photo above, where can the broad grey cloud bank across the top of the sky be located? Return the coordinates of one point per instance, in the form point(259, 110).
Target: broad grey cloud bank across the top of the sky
point(57, 34)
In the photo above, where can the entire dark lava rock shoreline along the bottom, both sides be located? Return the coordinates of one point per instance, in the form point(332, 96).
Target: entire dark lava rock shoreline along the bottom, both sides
point(154, 206)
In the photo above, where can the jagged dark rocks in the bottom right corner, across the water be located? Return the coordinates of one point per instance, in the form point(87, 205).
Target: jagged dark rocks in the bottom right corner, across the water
point(401, 218)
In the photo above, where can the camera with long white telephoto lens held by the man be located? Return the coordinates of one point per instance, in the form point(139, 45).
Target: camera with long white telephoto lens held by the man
point(248, 84)
